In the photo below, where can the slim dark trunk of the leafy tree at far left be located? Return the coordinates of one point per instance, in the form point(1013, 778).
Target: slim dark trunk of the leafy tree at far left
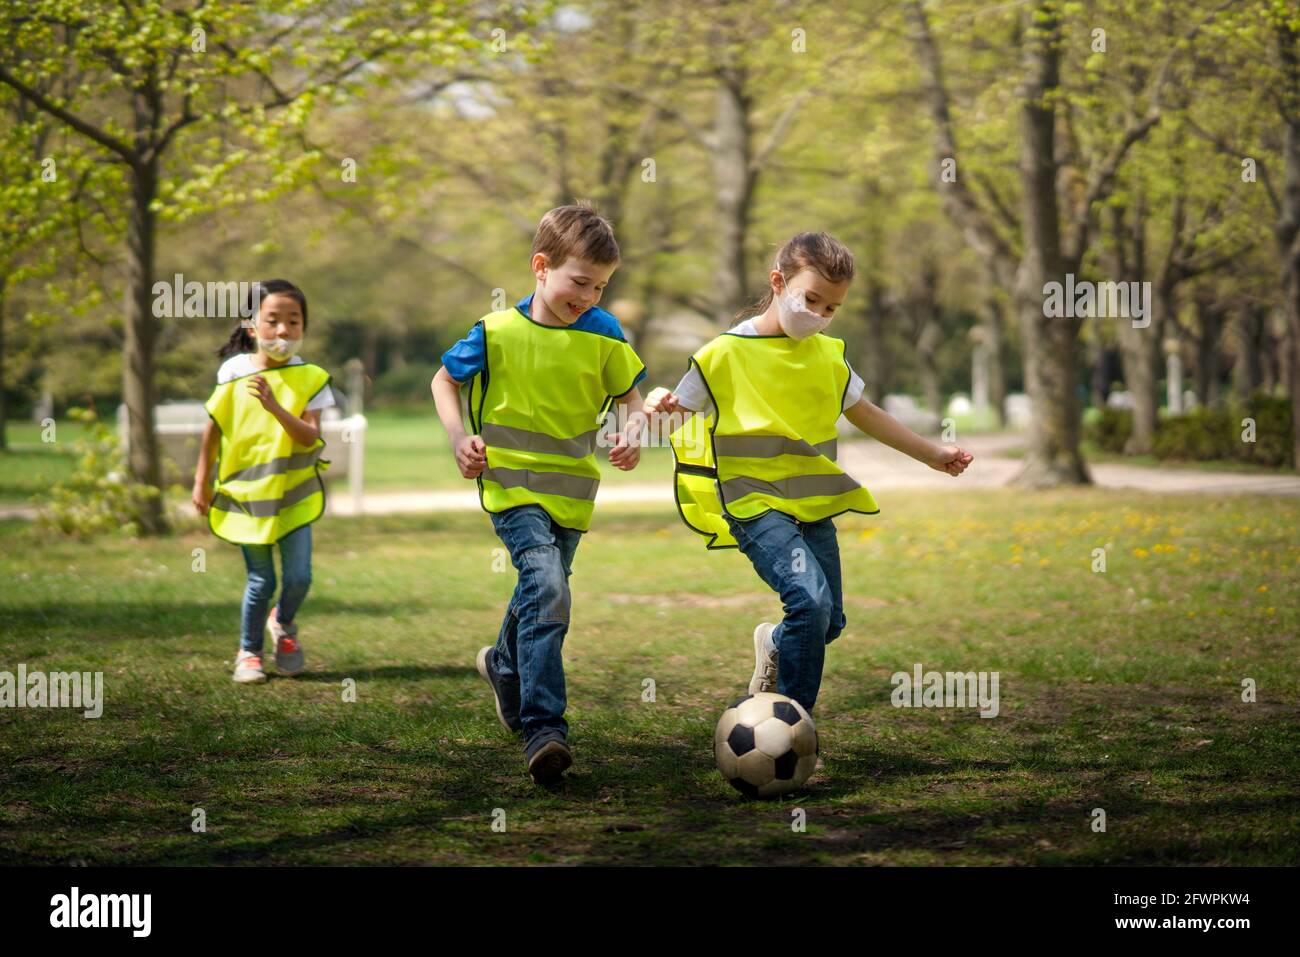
point(141, 335)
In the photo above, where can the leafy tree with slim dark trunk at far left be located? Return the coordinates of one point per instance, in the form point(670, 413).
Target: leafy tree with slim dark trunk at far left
point(155, 76)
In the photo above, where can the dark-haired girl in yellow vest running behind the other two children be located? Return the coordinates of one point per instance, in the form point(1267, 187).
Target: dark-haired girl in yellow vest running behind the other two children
point(266, 412)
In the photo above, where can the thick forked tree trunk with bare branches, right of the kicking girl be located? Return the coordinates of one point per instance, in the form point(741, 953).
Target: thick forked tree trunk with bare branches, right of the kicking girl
point(1063, 181)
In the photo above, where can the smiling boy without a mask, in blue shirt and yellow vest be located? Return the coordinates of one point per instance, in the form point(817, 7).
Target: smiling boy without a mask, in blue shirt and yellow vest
point(541, 374)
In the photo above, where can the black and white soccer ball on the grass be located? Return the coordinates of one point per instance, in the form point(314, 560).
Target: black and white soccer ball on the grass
point(766, 746)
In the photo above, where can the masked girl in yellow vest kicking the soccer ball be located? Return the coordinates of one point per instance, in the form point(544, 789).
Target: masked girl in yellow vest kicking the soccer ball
point(756, 466)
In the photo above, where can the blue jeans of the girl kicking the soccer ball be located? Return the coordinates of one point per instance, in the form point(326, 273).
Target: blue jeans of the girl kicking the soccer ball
point(801, 562)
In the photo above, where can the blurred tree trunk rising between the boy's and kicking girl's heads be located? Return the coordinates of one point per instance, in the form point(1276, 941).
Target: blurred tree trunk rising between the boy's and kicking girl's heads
point(733, 188)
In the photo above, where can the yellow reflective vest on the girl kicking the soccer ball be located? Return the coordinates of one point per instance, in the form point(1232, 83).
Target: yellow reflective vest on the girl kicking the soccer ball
point(772, 440)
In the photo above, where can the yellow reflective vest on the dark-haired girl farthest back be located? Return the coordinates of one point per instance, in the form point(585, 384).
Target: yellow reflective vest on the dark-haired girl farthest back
point(267, 484)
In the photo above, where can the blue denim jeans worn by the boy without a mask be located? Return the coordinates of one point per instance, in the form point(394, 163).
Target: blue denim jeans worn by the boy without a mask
point(532, 634)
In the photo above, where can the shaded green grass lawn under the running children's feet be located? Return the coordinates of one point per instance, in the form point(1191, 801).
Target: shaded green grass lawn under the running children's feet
point(1119, 691)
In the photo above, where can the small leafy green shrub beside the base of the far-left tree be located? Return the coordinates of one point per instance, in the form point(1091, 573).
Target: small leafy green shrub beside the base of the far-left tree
point(99, 497)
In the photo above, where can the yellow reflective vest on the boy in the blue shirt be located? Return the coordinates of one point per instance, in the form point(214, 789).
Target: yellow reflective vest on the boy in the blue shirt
point(541, 397)
